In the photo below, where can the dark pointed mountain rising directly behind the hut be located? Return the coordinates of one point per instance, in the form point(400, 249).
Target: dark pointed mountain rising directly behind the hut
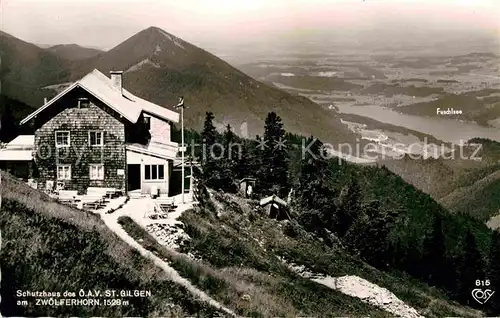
point(159, 67)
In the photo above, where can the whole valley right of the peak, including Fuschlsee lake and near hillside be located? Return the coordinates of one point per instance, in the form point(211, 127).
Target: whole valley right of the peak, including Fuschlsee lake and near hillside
point(391, 99)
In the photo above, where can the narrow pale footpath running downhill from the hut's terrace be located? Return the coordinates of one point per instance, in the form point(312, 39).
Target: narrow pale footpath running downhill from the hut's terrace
point(111, 221)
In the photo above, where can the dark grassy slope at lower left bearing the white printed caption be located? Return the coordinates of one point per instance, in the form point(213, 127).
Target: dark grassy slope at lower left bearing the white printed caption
point(51, 247)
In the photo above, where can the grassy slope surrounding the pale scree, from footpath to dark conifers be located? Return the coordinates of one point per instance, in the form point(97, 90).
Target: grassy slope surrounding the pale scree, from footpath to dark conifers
point(243, 248)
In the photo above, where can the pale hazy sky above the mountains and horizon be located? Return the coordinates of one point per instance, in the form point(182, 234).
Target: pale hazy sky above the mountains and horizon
point(104, 24)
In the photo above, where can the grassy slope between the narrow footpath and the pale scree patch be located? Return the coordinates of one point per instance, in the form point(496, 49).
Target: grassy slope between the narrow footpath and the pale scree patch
point(274, 290)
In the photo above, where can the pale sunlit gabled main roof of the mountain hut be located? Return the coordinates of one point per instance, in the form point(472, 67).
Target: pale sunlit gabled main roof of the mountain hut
point(124, 102)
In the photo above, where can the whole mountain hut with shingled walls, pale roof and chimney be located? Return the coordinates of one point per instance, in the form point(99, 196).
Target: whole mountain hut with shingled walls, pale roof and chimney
point(95, 134)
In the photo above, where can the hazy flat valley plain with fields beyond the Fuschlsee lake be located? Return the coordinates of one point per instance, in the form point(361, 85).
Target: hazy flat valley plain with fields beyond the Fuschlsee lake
point(402, 82)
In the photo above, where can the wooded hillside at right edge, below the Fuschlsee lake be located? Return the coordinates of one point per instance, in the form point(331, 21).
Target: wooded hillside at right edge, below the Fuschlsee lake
point(461, 185)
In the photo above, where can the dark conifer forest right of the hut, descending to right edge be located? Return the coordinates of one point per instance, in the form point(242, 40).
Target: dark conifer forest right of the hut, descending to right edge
point(374, 214)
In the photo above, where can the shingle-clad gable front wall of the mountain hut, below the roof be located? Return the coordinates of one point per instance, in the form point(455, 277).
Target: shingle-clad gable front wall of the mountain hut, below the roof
point(80, 118)
